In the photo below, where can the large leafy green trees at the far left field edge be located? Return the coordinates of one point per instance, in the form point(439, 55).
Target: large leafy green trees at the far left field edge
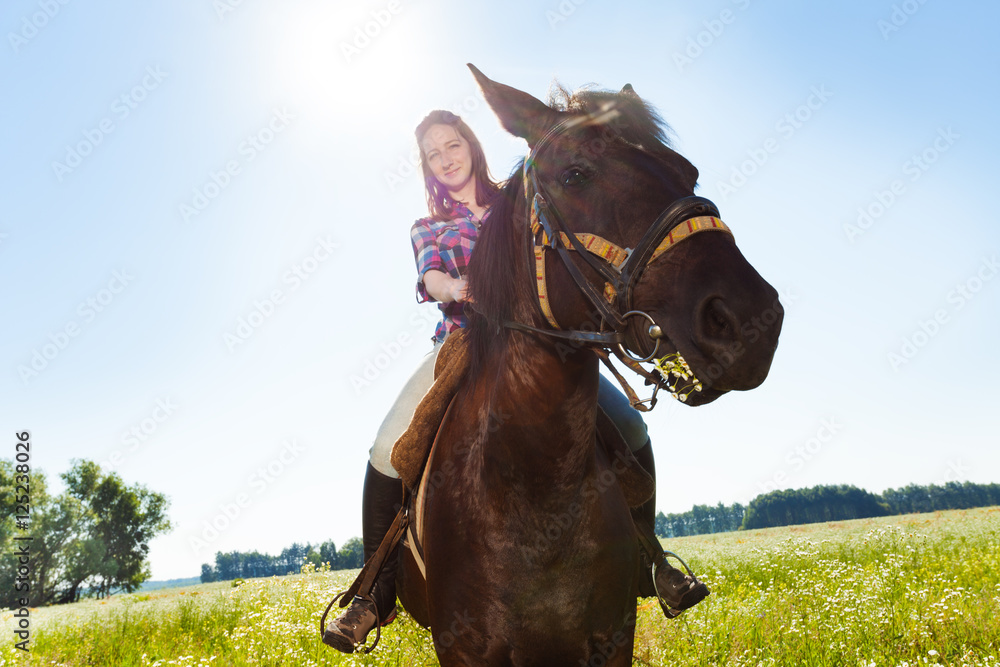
point(91, 540)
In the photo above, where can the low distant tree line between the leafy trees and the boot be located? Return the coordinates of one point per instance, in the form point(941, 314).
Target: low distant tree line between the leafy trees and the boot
point(247, 564)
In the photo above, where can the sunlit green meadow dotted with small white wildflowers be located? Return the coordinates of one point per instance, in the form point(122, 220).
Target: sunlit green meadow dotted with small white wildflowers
point(906, 590)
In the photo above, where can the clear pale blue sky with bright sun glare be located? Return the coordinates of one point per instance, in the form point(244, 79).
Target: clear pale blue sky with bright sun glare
point(207, 284)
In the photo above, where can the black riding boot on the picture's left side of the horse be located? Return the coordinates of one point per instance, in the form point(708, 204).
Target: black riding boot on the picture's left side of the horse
point(379, 505)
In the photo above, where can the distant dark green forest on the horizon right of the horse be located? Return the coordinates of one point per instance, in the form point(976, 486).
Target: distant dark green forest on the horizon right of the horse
point(825, 503)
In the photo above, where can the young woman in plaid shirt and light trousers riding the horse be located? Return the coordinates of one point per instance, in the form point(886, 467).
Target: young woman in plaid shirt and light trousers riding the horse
point(459, 193)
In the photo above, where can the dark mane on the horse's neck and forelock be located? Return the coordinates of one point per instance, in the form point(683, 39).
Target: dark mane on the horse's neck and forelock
point(500, 278)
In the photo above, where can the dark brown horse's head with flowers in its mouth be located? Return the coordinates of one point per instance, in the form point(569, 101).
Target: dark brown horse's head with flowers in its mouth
point(601, 165)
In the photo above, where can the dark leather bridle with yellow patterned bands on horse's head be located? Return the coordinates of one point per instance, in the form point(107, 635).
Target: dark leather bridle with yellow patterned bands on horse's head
point(620, 268)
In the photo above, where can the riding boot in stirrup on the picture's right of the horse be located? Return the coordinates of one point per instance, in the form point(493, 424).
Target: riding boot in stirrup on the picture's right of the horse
point(677, 591)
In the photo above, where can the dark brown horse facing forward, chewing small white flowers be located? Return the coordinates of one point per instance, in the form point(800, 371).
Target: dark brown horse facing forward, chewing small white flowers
point(531, 554)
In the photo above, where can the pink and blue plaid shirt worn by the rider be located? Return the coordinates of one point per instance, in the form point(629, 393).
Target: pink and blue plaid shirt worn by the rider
point(445, 246)
